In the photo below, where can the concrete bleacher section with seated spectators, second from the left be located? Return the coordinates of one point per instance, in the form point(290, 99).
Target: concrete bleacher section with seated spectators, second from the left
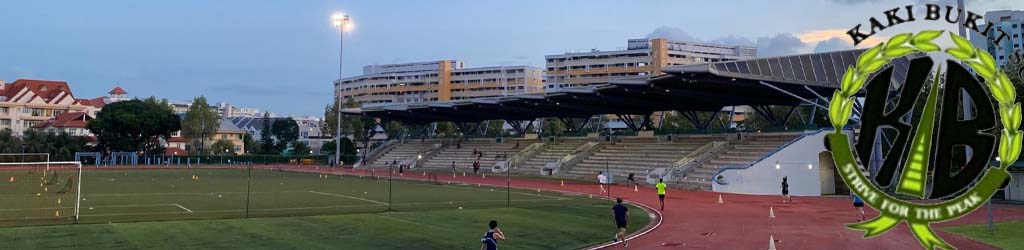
point(463, 157)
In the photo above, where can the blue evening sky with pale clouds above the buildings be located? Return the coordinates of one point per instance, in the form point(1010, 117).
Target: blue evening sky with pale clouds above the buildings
point(282, 56)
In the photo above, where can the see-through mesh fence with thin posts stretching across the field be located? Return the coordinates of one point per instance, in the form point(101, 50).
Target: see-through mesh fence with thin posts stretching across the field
point(238, 187)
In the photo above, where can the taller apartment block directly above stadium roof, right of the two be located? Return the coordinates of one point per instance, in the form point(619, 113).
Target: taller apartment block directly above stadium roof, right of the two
point(642, 59)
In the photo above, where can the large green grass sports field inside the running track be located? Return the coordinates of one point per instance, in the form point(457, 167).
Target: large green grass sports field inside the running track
point(288, 211)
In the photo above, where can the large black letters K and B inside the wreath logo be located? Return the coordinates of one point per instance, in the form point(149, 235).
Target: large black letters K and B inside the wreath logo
point(961, 146)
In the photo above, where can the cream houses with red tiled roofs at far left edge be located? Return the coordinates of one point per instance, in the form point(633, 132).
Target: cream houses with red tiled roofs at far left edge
point(26, 103)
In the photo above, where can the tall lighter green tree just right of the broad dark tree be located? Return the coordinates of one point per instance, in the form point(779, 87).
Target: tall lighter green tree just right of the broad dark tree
point(201, 123)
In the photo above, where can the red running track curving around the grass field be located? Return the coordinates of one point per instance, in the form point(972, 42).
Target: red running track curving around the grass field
point(697, 221)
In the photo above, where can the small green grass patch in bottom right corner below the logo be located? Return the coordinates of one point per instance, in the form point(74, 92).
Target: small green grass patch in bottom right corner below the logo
point(1007, 235)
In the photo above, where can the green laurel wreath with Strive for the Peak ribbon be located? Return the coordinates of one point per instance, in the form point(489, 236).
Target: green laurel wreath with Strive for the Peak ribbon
point(841, 108)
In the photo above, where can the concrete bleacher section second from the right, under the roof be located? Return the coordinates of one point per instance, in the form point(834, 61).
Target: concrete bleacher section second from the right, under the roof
point(634, 155)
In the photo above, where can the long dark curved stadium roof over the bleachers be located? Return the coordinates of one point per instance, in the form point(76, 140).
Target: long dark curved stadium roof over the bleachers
point(773, 81)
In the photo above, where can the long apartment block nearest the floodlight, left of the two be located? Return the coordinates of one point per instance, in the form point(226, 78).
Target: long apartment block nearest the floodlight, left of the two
point(440, 80)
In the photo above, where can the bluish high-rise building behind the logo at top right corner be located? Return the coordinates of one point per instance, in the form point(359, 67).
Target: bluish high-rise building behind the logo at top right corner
point(1010, 22)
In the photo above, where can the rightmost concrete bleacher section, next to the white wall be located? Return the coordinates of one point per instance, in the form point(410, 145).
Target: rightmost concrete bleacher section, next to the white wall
point(741, 153)
